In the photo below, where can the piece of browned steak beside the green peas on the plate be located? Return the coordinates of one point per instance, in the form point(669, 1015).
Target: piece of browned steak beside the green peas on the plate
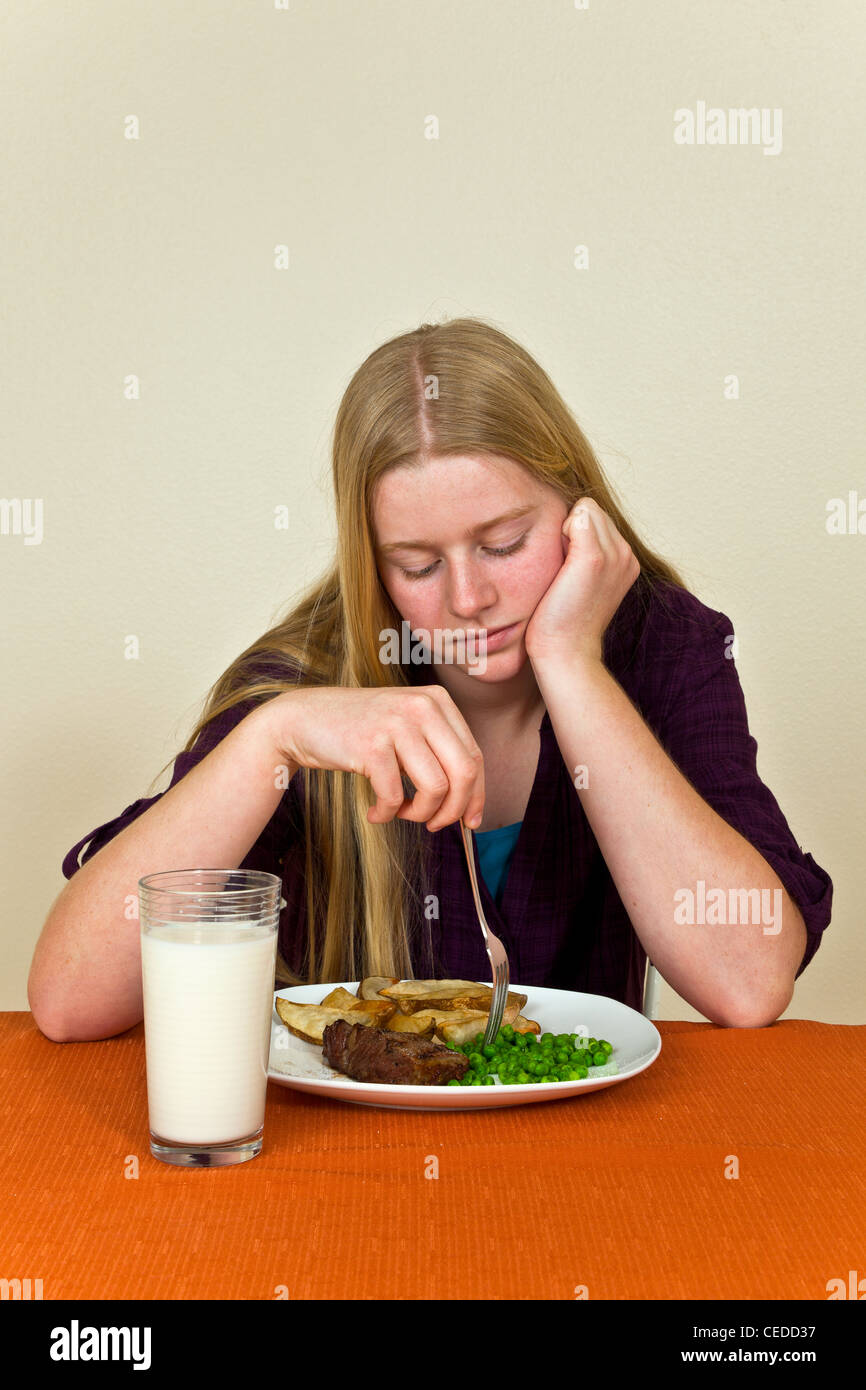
point(369, 1054)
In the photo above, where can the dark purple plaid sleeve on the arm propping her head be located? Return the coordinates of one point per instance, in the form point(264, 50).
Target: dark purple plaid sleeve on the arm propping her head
point(705, 730)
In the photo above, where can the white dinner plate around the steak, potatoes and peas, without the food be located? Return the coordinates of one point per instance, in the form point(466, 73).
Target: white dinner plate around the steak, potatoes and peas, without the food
point(636, 1047)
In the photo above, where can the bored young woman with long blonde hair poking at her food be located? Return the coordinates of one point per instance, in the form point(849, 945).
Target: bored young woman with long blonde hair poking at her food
point(603, 750)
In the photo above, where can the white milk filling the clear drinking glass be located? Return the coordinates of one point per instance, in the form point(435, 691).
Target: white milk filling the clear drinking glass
point(208, 1028)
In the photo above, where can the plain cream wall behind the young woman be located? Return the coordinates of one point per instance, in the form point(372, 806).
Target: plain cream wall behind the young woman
point(309, 127)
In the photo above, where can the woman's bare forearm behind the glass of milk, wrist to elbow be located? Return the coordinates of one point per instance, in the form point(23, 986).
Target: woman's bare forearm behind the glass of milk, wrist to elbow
point(85, 978)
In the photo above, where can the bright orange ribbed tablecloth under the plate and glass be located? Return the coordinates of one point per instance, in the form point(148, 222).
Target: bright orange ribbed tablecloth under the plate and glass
point(623, 1192)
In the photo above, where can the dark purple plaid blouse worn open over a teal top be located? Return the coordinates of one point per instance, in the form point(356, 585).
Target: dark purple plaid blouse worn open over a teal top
point(561, 917)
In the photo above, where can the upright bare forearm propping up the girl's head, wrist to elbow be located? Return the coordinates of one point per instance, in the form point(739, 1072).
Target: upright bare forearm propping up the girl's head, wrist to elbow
point(665, 846)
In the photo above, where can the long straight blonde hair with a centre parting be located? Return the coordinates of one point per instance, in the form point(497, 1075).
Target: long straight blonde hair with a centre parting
point(454, 389)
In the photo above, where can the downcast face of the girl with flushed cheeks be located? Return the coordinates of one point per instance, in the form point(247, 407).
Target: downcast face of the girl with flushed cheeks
point(459, 582)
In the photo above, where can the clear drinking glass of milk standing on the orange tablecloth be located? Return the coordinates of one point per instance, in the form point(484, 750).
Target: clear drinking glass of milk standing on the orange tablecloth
point(209, 950)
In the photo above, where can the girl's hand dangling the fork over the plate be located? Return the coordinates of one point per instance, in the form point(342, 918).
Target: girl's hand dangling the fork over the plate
point(382, 733)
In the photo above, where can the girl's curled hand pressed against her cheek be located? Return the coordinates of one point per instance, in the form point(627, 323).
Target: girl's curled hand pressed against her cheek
point(598, 571)
